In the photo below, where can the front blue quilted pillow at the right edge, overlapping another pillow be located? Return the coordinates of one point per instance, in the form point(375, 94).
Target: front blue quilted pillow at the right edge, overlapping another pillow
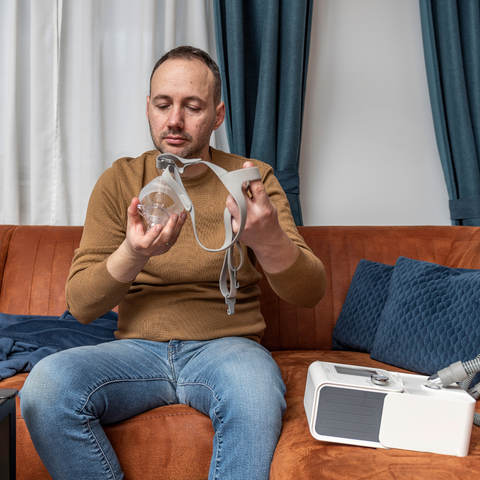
point(431, 317)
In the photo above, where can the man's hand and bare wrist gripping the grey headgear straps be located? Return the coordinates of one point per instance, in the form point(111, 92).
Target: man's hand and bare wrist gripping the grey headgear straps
point(263, 233)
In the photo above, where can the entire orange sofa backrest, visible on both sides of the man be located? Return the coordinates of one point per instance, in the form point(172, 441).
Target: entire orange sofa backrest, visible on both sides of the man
point(34, 264)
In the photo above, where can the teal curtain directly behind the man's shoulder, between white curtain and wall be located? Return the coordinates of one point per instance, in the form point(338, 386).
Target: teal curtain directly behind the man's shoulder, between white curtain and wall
point(263, 48)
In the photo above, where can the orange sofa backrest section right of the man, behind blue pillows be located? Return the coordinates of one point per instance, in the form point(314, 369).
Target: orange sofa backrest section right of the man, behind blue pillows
point(341, 248)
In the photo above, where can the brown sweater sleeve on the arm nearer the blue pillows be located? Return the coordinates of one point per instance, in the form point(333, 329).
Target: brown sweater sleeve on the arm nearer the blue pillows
point(303, 283)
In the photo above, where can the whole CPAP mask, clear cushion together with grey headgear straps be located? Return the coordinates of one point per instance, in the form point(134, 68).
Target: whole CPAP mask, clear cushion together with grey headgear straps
point(166, 195)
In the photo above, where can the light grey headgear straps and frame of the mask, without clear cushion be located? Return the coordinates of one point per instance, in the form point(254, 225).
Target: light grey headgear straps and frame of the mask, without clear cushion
point(233, 182)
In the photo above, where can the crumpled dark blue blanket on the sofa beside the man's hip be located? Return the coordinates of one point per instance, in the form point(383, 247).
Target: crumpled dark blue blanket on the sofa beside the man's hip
point(26, 339)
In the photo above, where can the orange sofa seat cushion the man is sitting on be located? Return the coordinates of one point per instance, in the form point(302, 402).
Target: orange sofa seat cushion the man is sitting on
point(145, 444)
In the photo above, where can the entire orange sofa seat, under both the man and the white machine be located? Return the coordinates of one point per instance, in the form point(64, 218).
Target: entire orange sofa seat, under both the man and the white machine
point(150, 442)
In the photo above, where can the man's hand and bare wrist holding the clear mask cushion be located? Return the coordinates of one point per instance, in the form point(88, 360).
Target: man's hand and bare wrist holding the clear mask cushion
point(141, 244)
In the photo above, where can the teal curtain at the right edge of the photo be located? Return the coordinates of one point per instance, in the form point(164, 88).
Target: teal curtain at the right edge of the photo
point(451, 40)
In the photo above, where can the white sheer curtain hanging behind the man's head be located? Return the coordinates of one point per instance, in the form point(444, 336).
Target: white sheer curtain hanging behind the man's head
point(74, 76)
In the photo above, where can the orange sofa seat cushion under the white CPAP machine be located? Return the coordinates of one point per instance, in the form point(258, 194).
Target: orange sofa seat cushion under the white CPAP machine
point(299, 455)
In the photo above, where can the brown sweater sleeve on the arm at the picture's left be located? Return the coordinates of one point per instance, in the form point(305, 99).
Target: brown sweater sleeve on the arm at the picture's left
point(90, 289)
